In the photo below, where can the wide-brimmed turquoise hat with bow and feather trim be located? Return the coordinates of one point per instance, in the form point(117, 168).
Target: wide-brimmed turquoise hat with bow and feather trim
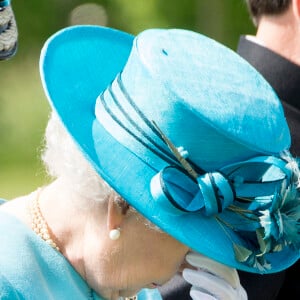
point(187, 132)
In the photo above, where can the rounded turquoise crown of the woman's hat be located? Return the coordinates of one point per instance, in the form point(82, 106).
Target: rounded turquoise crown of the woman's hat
point(203, 96)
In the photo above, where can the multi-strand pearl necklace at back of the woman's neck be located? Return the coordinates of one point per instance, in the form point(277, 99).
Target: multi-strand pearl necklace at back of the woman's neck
point(39, 224)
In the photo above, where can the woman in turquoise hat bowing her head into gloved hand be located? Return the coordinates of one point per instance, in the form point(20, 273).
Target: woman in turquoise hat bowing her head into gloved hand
point(162, 146)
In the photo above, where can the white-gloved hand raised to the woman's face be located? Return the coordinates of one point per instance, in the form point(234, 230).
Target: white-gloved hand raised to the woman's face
point(211, 280)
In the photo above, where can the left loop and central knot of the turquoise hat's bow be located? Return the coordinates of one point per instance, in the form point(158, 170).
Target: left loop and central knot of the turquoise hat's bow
point(176, 191)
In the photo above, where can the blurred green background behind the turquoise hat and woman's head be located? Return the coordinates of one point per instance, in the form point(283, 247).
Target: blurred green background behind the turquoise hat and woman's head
point(23, 106)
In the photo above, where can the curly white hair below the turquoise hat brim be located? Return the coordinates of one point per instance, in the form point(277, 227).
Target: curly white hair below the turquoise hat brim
point(63, 159)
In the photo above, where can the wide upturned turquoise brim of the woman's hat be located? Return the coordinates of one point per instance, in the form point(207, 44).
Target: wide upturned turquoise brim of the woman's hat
point(77, 64)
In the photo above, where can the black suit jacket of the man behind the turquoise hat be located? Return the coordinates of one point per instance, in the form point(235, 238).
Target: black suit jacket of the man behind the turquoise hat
point(284, 76)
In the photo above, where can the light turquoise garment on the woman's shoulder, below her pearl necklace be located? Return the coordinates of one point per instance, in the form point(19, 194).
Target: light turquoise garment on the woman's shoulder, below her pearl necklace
point(31, 269)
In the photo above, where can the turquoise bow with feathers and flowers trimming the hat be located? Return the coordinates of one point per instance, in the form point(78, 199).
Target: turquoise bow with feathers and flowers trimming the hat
point(257, 200)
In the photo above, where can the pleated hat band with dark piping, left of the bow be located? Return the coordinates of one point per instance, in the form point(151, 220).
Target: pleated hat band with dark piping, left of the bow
point(114, 108)
